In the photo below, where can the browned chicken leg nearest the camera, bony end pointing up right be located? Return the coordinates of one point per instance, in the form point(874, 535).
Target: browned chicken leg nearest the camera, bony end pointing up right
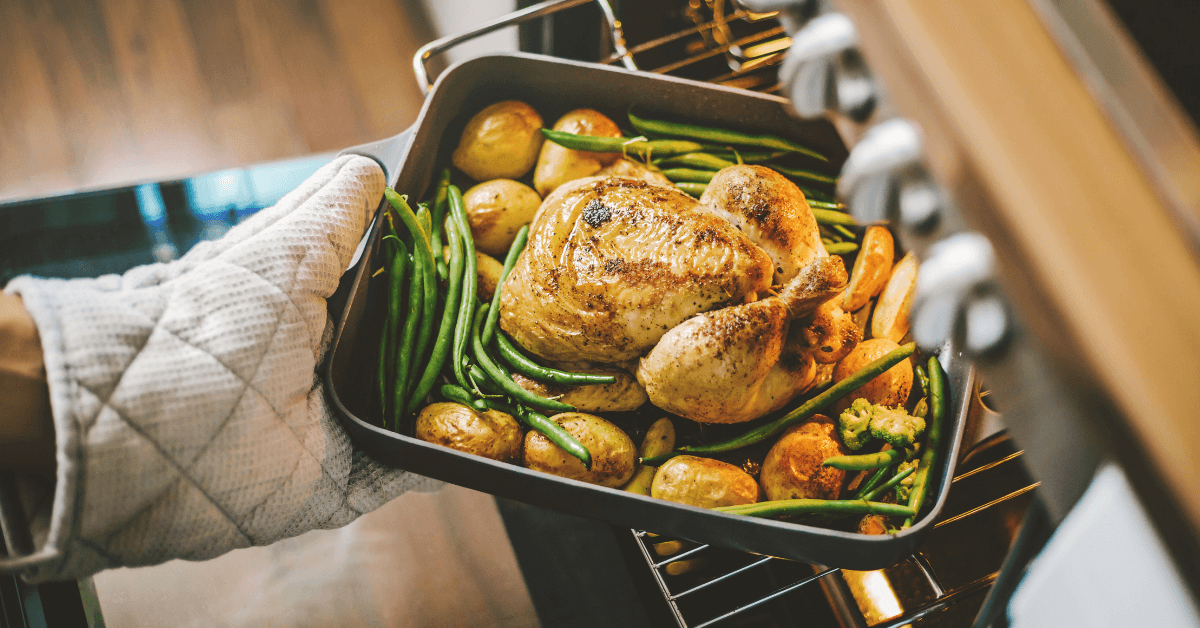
point(736, 364)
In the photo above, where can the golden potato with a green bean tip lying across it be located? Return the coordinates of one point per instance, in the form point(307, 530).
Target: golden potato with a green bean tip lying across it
point(614, 453)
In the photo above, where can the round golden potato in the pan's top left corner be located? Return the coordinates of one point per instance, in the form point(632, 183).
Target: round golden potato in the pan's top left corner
point(501, 142)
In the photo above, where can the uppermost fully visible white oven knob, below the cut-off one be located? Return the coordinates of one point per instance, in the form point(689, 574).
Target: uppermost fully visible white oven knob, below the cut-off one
point(825, 73)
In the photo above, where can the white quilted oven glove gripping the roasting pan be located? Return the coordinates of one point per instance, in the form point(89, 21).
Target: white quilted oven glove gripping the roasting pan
point(189, 416)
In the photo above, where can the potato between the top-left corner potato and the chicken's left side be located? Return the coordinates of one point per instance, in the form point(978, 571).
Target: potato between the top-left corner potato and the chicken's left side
point(497, 211)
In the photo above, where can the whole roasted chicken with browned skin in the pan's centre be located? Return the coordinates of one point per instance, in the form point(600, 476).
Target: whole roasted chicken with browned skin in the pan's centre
point(629, 273)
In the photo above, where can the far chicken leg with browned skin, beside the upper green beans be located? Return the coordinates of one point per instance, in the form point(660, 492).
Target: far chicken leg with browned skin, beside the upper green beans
point(772, 211)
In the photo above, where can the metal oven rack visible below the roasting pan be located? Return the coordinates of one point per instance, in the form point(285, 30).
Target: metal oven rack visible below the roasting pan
point(835, 589)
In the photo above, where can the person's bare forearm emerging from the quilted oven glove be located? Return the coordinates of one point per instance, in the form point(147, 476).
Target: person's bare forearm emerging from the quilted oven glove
point(27, 429)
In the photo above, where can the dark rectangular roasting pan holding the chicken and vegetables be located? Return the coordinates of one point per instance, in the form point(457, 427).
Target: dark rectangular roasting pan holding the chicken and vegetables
point(555, 87)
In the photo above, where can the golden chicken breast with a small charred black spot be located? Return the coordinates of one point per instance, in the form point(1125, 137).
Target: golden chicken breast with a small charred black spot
point(614, 264)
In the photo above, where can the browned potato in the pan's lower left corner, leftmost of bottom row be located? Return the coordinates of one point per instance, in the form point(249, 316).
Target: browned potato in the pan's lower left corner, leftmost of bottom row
point(490, 434)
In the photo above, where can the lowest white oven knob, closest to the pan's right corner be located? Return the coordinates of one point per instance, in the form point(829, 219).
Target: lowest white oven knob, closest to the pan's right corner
point(957, 297)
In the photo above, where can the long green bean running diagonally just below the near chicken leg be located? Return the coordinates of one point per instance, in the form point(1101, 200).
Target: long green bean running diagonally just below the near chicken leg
point(801, 414)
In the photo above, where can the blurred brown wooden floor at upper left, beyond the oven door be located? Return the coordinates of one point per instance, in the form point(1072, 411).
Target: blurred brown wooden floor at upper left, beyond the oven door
point(101, 93)
